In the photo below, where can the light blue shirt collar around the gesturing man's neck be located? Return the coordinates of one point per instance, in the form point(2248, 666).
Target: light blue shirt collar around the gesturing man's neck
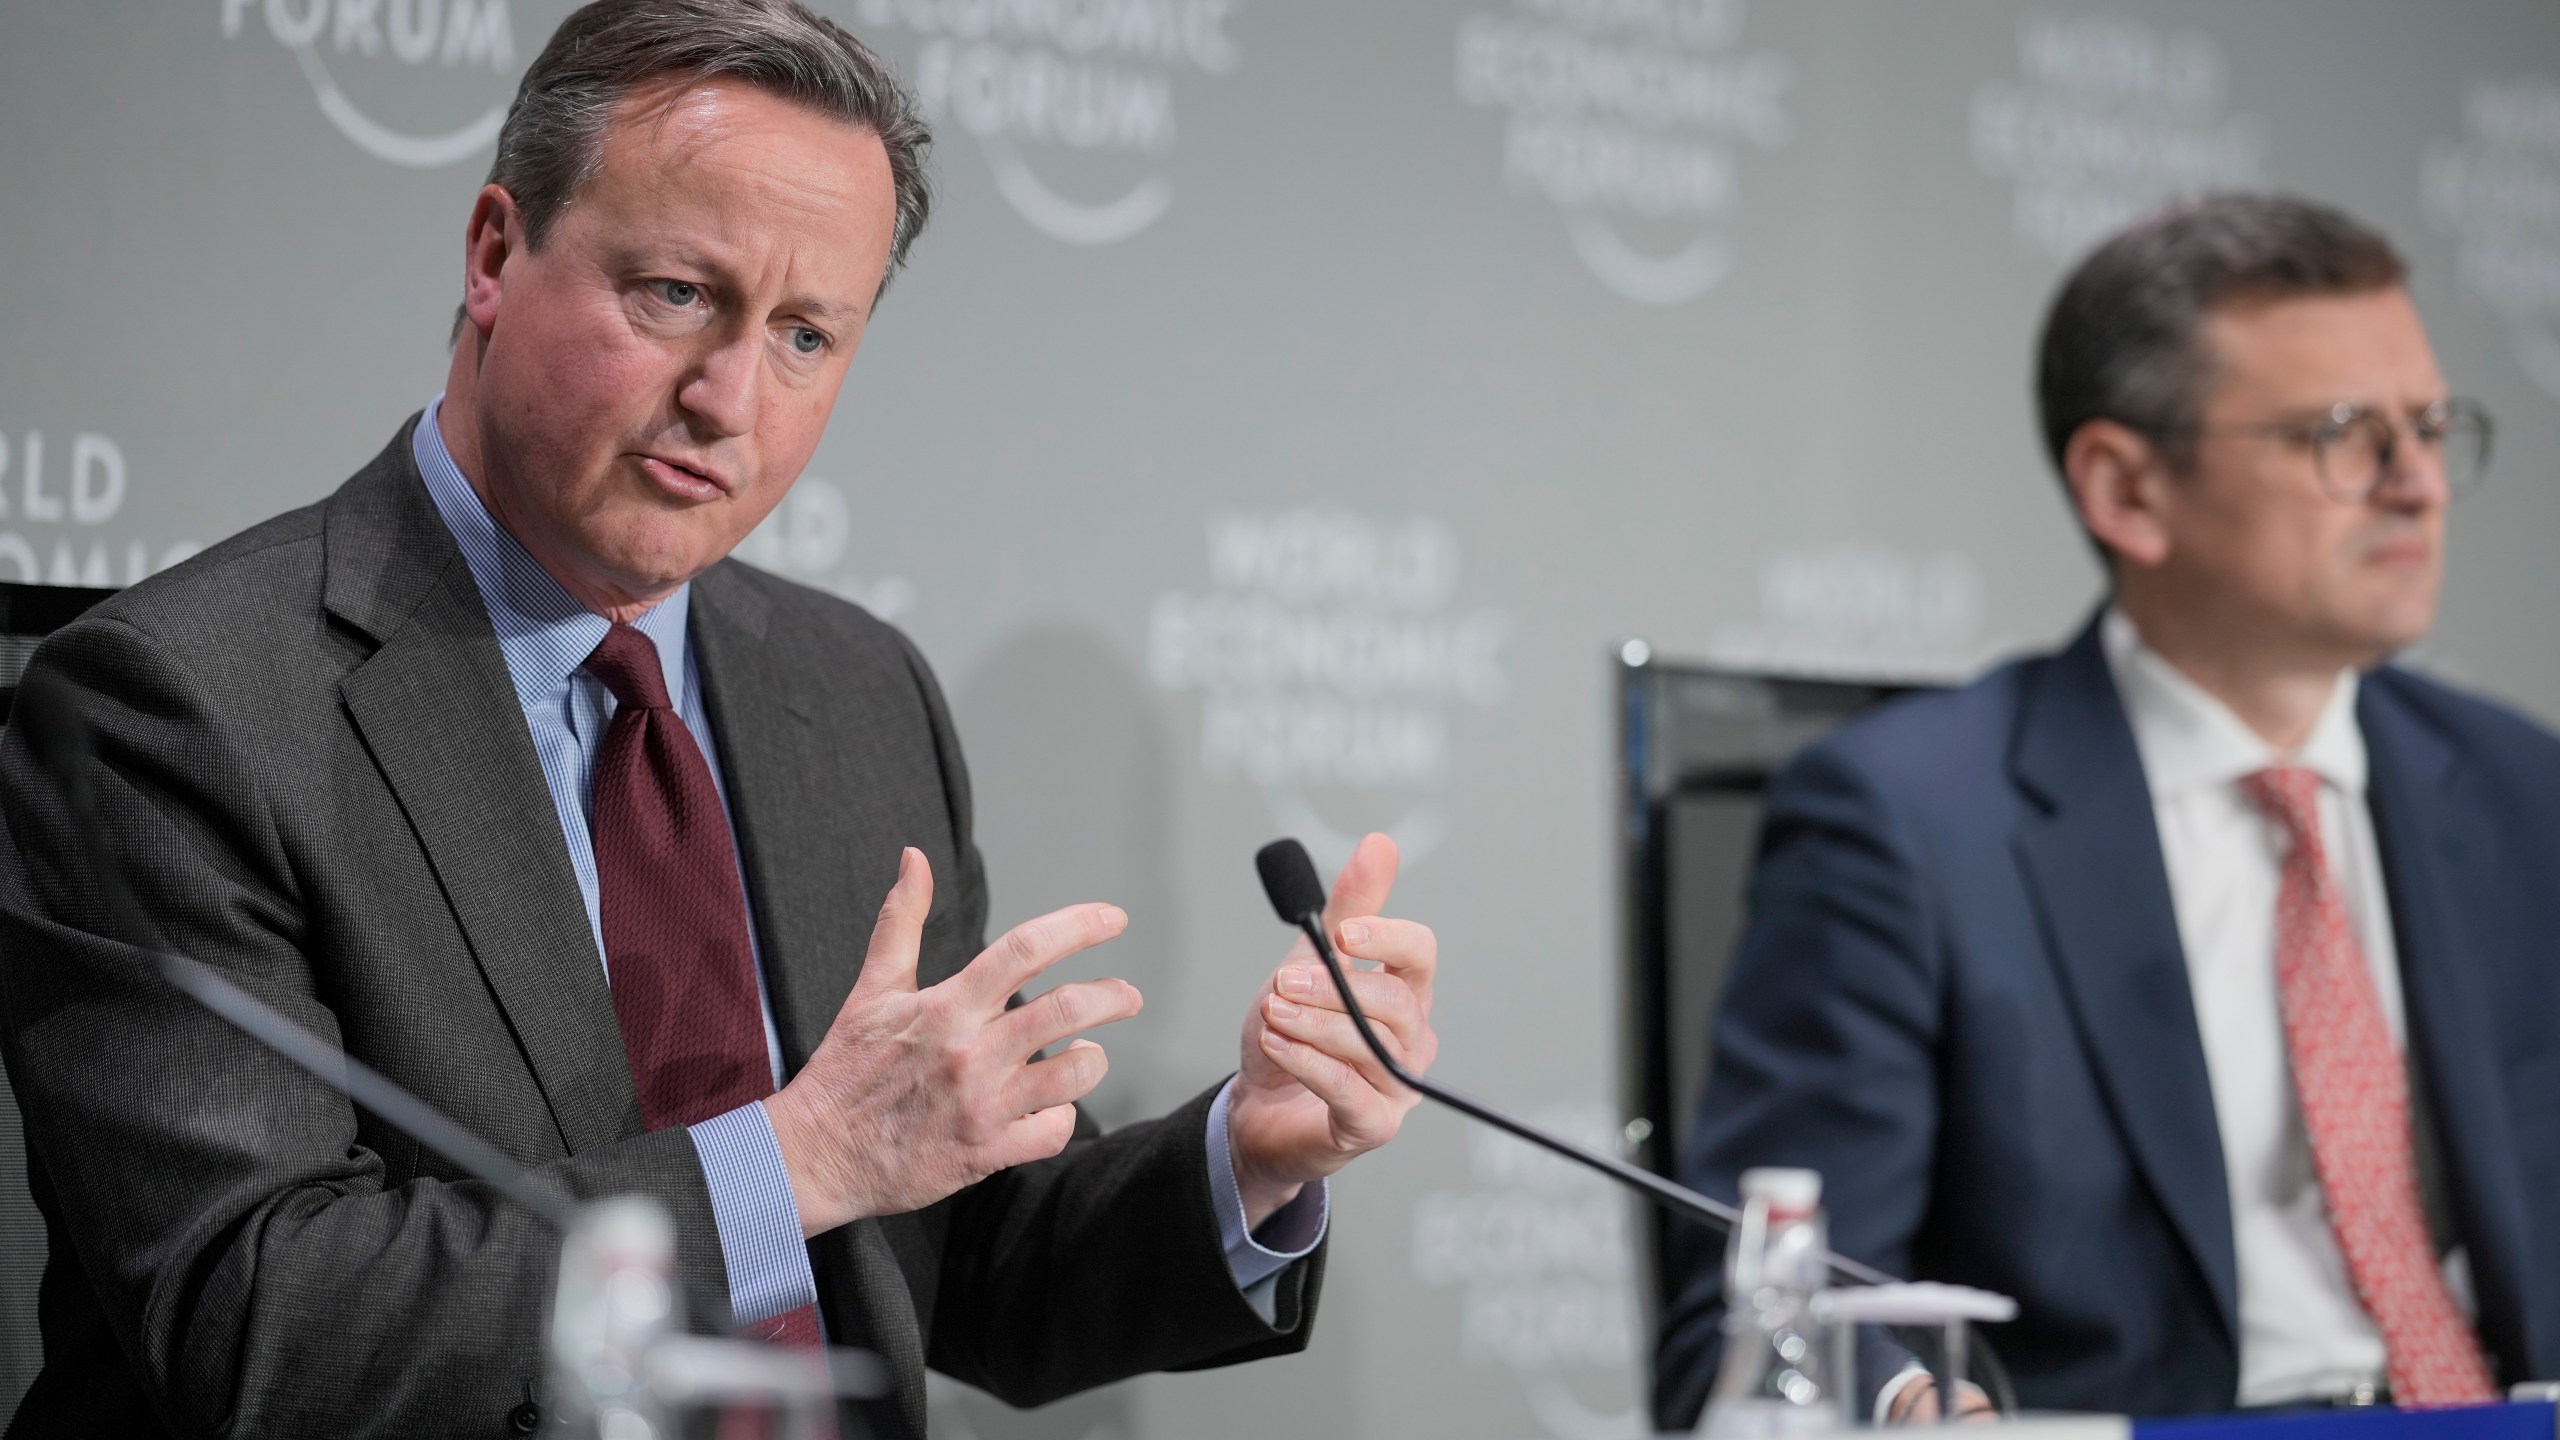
point(541, 629)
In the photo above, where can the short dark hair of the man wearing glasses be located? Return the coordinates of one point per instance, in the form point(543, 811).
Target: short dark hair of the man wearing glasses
point(2124, 334)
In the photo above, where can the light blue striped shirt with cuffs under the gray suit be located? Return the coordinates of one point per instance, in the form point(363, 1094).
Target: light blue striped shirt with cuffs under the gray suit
point(547, 639)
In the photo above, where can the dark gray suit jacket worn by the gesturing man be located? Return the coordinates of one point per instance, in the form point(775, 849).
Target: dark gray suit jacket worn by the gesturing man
point(316, 773)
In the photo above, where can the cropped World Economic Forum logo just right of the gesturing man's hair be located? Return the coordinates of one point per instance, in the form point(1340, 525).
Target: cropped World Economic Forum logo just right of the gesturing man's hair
point(1069, 101)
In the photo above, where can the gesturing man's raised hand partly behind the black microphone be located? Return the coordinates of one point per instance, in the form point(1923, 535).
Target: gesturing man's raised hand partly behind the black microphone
point(1309, 1095)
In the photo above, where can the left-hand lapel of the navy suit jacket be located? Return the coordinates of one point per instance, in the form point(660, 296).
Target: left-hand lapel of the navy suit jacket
point(2093, 862)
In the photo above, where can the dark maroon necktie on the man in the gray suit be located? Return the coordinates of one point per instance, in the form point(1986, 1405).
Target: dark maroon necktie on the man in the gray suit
point(675, 916)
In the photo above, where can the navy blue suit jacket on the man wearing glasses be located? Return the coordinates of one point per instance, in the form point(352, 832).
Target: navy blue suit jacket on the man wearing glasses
point(1962, 998)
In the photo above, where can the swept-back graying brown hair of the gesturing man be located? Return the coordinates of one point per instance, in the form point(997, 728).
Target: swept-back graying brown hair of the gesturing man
point(554, 135)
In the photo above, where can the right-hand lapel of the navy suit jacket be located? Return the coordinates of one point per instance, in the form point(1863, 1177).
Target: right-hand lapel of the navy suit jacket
point(2428, 831)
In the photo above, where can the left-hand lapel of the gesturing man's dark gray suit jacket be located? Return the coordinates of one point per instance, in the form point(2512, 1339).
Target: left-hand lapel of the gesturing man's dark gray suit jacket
point(444, 726)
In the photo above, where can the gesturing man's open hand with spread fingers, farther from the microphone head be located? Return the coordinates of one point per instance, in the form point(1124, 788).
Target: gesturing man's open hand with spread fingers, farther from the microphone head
point(920, 1093)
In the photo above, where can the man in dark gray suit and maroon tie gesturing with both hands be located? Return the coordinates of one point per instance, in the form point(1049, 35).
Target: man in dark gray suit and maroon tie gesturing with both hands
point(498, 773)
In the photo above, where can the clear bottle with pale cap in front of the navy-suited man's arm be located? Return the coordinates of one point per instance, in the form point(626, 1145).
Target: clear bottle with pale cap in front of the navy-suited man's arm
point(1775, 1377)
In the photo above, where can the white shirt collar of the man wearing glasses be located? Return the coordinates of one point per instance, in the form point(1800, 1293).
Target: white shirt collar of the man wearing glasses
point(2193, 742)
